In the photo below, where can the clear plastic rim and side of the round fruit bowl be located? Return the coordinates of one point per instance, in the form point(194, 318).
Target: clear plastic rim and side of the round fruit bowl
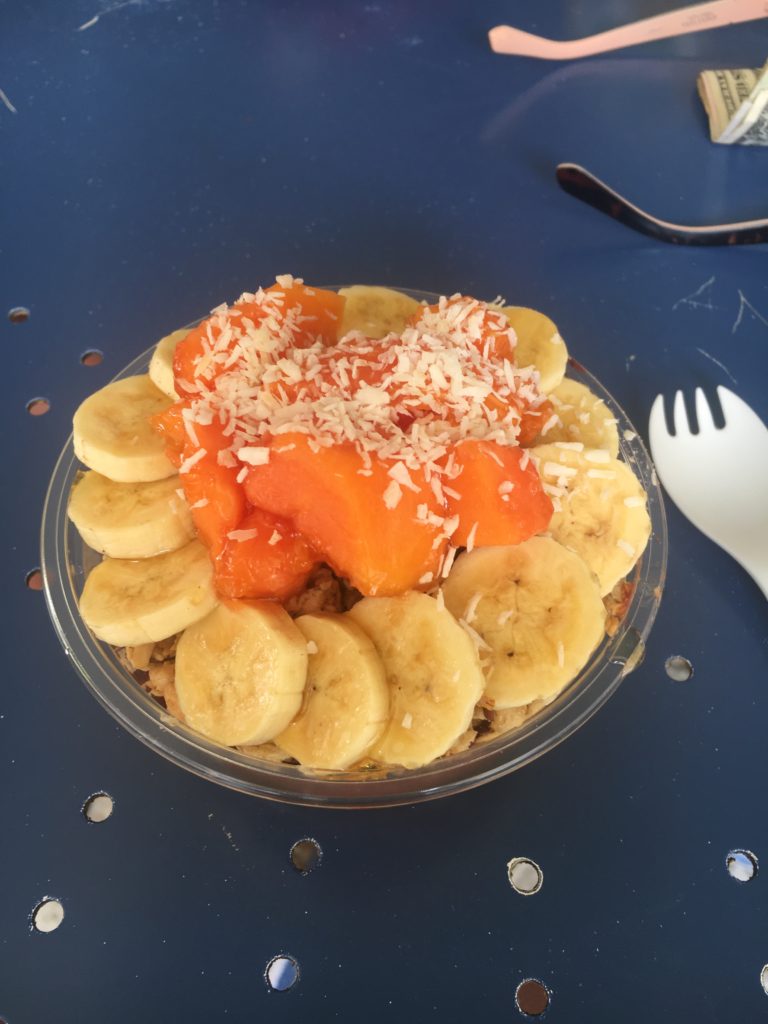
point(67, 562)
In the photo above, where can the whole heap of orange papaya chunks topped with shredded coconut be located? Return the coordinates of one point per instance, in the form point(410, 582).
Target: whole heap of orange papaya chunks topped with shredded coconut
point(383, 527)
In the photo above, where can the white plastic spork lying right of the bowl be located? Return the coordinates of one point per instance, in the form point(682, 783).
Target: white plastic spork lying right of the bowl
point(718, 478)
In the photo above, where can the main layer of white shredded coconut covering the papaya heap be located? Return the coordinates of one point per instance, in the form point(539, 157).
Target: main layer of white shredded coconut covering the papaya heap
point(406, 401)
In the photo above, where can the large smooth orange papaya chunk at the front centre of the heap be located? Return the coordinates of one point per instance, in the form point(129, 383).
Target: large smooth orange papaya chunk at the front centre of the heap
point(371, 530)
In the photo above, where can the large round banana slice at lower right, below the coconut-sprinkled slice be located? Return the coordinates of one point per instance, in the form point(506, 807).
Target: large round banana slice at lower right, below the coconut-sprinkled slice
point(537, 609)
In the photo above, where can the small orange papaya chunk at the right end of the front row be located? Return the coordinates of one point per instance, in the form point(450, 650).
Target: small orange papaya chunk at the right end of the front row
point(501, 496)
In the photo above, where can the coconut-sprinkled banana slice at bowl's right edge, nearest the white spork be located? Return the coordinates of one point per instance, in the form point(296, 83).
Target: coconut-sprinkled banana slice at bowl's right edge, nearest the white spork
point(603, 513)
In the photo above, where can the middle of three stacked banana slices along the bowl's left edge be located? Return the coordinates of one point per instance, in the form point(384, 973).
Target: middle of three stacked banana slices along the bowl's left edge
point(131, 521)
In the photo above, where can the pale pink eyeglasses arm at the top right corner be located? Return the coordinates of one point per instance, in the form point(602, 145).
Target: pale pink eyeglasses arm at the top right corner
point(505, 39)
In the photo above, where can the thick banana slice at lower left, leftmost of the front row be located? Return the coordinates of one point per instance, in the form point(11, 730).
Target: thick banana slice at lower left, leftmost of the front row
point(241, 673)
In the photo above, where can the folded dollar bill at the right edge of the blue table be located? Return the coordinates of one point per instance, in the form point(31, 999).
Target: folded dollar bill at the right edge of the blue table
point(737, 104)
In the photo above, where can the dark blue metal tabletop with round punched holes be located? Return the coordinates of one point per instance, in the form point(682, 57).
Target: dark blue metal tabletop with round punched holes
point(170, 155)
